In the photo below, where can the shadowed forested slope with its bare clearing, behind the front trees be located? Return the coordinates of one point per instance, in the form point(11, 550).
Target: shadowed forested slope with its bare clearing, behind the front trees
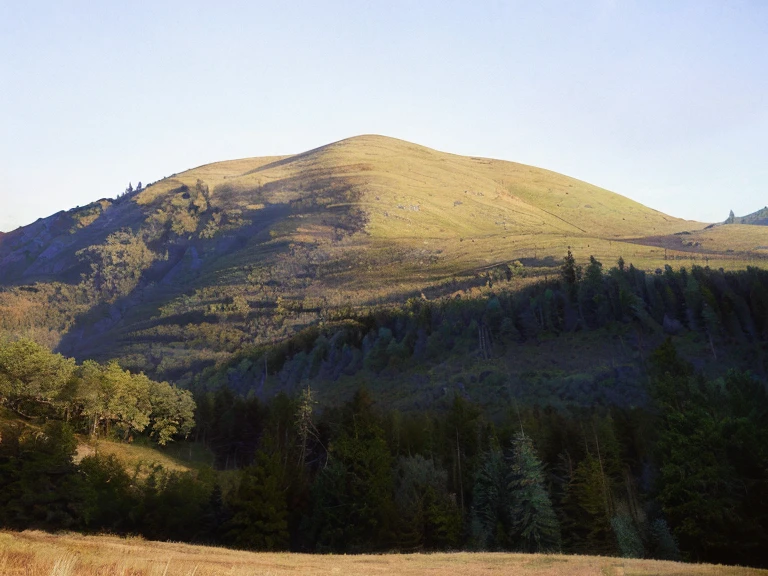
point(522, 344)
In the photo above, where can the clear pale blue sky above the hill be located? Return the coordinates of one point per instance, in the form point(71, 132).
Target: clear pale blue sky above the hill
point(663, 101)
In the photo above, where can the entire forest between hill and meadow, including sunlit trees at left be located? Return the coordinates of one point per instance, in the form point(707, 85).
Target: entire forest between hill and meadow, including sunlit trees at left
point(680, 471)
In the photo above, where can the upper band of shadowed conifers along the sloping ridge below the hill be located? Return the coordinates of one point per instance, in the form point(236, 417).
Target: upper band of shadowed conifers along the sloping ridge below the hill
point(721, 311)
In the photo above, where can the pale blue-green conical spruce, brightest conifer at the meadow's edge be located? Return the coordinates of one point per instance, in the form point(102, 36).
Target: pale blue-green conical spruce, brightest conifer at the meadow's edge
point(534, 523)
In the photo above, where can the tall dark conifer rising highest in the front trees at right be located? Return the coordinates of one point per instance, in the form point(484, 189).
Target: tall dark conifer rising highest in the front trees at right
point(696, 486)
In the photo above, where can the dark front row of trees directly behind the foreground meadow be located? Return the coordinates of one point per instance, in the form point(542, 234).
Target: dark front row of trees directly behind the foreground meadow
point(687, 478)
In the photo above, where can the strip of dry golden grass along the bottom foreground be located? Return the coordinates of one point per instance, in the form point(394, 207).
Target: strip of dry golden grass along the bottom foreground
point(33, 553)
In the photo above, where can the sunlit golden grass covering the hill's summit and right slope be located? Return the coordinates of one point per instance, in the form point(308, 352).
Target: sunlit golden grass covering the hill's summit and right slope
point(462, 213)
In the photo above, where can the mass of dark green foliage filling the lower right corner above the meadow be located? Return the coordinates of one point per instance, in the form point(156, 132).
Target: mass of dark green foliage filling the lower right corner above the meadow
point(710, 436)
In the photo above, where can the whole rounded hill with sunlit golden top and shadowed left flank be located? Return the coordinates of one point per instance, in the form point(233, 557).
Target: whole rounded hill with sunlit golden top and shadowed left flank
point(179, 275)
